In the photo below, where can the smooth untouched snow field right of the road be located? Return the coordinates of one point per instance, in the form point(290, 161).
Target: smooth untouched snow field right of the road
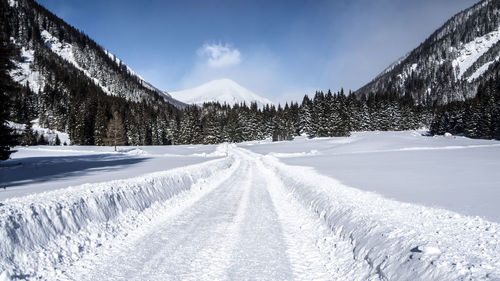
point(454, 173)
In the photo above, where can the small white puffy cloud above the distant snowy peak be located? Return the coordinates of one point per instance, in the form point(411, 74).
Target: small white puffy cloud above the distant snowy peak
point(219, 56)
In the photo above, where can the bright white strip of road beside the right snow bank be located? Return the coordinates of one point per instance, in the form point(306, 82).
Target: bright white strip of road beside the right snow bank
point(314, 250)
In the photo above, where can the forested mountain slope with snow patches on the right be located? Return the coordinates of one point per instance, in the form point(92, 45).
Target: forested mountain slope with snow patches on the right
point(451, 63)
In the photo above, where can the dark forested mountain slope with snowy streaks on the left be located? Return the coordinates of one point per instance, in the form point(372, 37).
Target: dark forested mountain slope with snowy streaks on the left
point(71, 84)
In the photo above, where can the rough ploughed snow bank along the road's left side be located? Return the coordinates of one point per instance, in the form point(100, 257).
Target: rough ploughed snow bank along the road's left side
point(40, 233)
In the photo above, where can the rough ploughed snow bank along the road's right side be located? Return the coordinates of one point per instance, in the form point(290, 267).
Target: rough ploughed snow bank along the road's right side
point(398, 241)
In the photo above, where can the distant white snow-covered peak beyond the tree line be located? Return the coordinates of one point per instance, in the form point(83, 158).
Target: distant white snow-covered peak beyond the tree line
point(222, 91)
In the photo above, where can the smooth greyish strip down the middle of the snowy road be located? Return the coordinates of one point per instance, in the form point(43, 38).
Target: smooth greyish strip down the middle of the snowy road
point(260, 253)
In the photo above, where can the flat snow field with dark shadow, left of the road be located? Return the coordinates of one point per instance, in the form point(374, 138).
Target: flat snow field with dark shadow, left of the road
point(42, 168)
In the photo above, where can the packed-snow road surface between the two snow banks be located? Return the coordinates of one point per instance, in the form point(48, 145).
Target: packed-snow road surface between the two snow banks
point(237, 231)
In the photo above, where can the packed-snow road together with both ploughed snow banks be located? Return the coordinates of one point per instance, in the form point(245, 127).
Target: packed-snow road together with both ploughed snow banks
point(244, 217)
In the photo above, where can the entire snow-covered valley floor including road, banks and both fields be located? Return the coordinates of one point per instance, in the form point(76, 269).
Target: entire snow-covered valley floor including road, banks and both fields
point(374, 206)
